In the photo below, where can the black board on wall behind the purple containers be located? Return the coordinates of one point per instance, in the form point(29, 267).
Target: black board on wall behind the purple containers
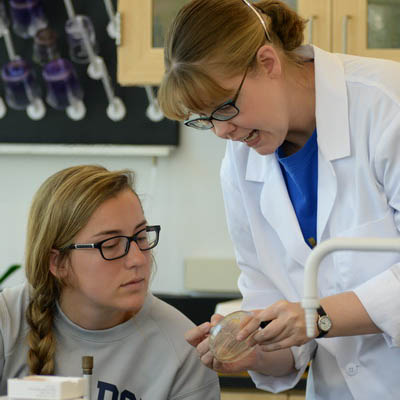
point(96, 128)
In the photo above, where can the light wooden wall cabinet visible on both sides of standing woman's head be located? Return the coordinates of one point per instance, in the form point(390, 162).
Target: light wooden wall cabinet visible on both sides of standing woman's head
point(362, 27)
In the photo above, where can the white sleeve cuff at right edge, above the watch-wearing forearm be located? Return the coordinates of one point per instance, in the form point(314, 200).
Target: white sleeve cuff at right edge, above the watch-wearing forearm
point(381, 298)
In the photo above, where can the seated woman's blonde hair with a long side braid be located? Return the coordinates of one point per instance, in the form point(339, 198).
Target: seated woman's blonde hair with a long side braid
point(60, 209)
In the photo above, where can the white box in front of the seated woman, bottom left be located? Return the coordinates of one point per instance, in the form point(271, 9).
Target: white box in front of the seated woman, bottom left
point(43, 387)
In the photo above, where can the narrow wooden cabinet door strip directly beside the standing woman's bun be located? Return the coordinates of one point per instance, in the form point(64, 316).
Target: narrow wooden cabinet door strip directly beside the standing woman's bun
point(319, 16)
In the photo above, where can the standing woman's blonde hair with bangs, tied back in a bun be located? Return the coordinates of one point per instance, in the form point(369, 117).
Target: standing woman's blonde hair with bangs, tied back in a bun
point(220, 35)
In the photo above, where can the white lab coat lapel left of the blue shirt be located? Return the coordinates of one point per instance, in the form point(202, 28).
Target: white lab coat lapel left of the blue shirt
point(276, 205)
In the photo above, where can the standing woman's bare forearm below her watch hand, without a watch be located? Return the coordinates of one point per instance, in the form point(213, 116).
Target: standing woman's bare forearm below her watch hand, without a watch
point(274, 363)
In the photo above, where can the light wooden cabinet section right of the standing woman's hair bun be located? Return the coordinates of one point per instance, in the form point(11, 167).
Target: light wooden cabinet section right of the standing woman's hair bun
point(363, 27)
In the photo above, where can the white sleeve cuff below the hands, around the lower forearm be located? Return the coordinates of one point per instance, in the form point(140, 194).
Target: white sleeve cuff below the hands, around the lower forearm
point(302, 355)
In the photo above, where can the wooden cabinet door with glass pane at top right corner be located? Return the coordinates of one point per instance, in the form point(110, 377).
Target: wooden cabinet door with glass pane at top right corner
point(367, 27)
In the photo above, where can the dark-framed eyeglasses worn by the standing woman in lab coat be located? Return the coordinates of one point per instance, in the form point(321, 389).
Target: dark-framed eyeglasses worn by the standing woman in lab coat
point(224, 112)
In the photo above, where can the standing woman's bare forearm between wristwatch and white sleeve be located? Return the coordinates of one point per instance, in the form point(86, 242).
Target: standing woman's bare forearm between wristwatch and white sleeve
point(348, 315)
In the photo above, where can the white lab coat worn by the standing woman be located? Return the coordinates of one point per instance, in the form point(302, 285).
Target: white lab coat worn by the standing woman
point(358, 131)
